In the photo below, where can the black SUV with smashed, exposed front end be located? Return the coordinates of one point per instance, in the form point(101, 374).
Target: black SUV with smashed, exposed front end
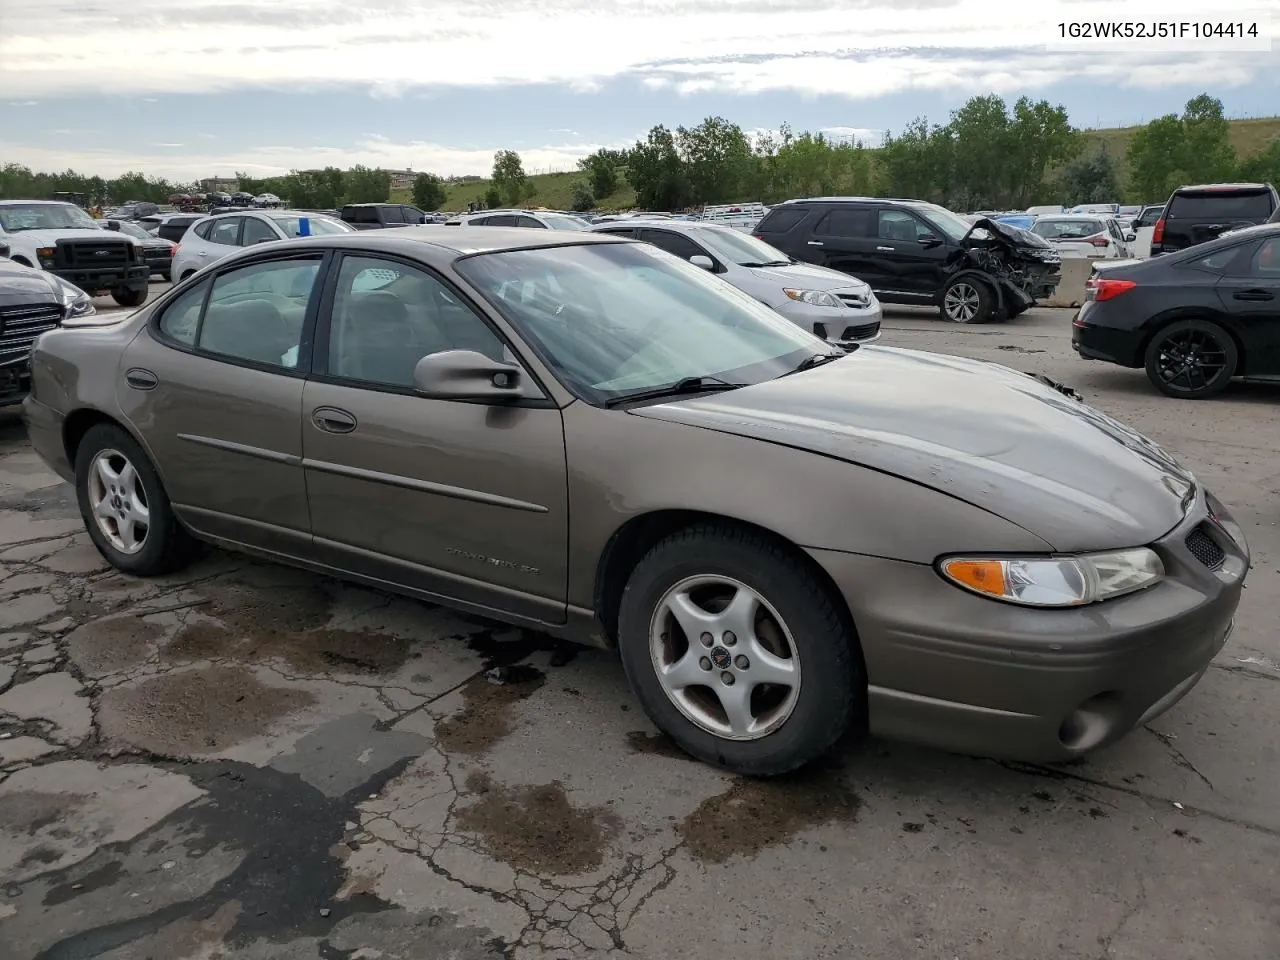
point(920, 254)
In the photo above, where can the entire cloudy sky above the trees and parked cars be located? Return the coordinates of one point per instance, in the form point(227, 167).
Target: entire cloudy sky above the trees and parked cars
point(189, 89)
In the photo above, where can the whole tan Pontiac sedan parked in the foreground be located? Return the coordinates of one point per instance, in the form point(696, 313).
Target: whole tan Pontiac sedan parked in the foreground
point(588, 437)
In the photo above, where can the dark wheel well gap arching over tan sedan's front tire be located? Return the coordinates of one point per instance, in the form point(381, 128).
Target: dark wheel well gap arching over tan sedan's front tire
point(636, 538)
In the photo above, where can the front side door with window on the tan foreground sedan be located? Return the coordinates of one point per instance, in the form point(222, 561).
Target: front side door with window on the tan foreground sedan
point(461, 501)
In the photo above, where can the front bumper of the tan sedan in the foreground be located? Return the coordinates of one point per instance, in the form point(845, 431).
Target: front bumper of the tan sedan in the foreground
point(966, 674)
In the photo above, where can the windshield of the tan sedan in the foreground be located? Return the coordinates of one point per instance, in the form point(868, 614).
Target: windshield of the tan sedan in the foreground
point(616, 319)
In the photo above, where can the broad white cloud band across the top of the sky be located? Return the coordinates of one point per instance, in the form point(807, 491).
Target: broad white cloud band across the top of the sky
point(856, 48)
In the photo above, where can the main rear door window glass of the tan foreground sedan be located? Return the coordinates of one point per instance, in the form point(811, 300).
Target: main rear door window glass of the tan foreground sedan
point(258, 312)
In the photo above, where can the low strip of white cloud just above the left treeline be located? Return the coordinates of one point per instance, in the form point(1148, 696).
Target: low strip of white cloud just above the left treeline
point(276, 161)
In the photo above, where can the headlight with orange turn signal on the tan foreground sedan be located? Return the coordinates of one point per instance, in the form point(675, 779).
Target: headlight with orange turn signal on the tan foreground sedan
point(1057, 582)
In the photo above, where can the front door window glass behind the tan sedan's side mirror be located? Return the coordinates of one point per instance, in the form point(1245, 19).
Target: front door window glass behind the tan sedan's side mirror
point(388, 316)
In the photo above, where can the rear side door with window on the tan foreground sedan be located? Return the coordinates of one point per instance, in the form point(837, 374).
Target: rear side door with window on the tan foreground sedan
point(214, 388)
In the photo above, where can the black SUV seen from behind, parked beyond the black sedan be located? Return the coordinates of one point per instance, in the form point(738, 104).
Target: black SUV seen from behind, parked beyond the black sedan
point(1199, 214)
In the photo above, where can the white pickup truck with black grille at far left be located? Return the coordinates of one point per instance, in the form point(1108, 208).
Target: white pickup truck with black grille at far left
point(63, 240)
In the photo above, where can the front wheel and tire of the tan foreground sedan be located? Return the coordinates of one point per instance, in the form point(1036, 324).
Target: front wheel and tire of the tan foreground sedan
point(738, 652)
